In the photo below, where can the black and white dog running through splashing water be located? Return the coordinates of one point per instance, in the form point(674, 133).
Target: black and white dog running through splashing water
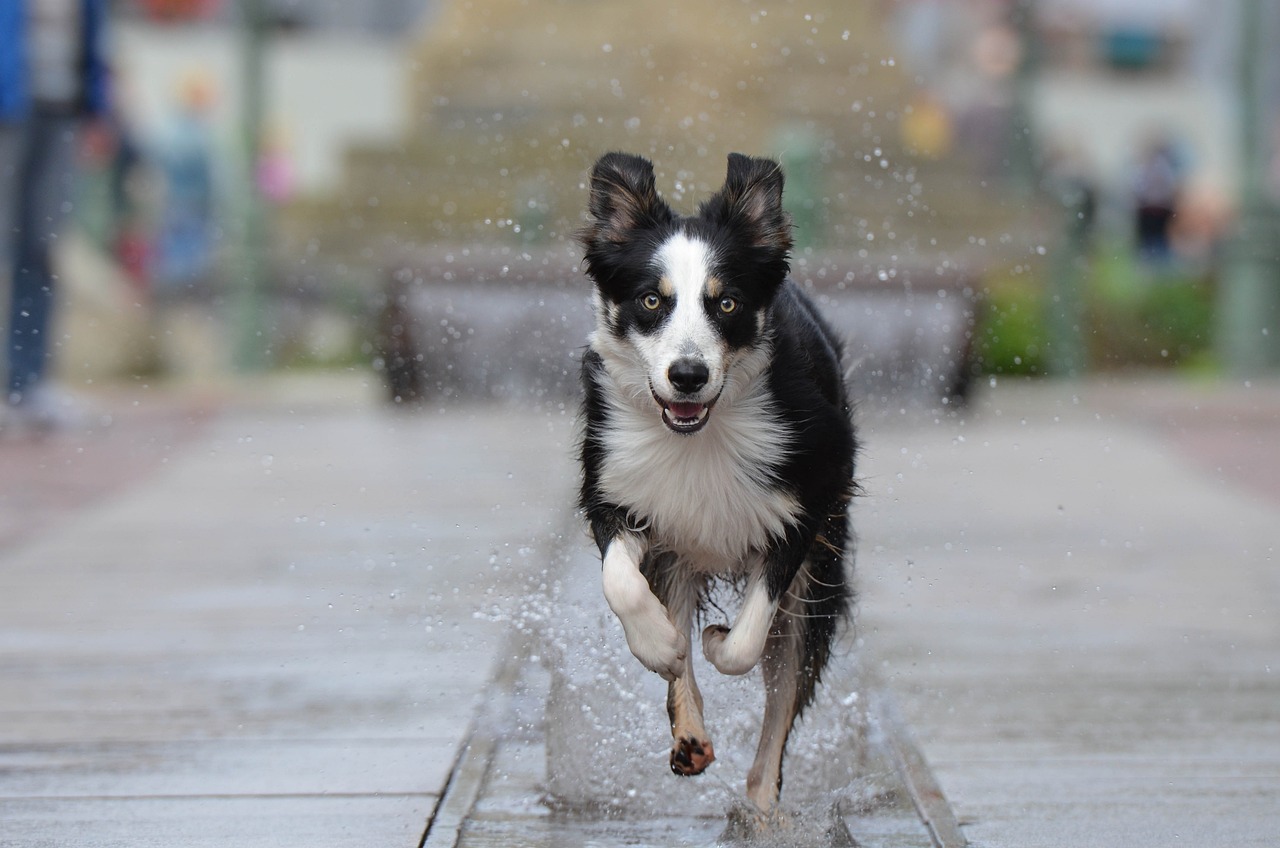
point(719, 444)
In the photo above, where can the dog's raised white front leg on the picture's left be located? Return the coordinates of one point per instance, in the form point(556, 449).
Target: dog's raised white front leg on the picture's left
point(652, 637)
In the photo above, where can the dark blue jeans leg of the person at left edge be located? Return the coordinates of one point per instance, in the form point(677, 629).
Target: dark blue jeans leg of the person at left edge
point(45, 181)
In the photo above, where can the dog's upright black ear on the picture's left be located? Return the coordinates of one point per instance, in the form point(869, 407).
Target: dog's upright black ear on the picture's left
point(624, 199)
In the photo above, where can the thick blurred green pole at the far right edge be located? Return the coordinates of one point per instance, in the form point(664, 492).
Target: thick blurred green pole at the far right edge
point(1249, 339)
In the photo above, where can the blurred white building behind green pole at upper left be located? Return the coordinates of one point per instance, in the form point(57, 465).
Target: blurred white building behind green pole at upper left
point(336, 74)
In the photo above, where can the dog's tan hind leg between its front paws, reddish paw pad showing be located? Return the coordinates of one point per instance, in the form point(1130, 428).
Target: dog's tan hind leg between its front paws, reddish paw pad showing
point(692, 747)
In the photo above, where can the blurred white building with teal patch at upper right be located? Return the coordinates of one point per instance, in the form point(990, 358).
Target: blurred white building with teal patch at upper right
point(1117, 80)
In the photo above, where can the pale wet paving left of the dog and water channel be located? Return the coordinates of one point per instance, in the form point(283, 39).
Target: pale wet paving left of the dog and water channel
point(277, 636)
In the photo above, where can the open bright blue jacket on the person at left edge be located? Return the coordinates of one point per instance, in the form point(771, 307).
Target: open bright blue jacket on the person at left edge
point(15, 94)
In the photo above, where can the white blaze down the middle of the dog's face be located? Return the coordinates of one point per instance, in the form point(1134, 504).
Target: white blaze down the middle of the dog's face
point(684, 266)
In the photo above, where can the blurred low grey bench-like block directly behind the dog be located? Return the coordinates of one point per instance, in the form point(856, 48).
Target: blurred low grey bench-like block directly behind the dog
point(513, 323)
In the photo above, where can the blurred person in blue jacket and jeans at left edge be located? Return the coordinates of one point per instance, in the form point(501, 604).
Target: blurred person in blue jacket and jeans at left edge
point(53, 79)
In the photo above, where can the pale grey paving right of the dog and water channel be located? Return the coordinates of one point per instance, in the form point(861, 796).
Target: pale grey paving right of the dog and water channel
point(1081, 612)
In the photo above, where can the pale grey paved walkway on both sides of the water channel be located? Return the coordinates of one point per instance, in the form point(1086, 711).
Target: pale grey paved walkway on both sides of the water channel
point(272, 630)
